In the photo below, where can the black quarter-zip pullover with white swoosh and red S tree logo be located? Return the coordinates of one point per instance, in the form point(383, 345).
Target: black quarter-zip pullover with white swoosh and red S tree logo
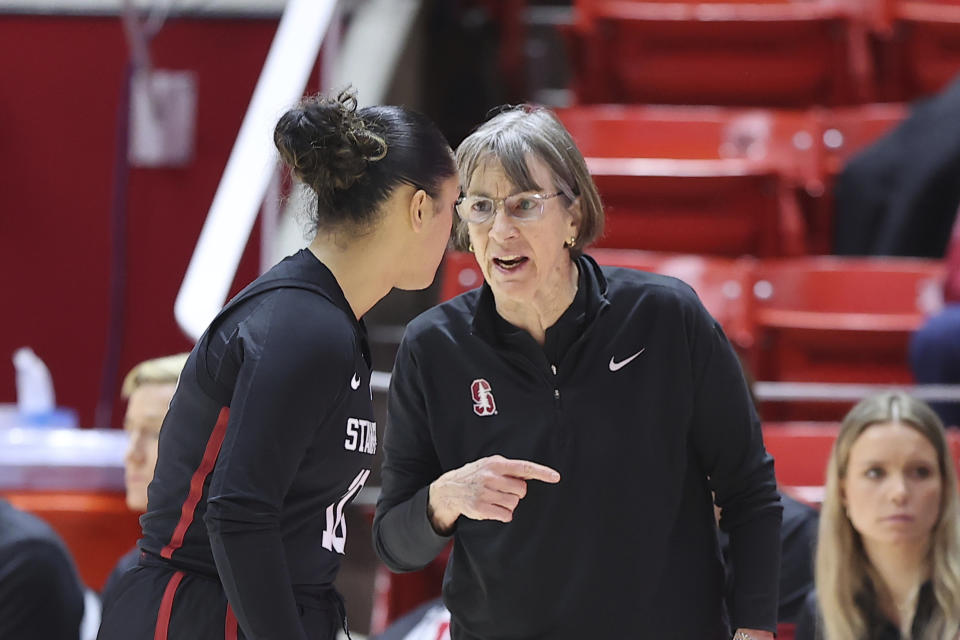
point(643, 410)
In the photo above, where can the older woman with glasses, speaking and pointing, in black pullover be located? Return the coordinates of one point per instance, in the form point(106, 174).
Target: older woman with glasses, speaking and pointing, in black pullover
point(567, 424)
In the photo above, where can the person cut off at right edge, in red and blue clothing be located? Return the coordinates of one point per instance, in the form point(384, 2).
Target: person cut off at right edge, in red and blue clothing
point(935, 346)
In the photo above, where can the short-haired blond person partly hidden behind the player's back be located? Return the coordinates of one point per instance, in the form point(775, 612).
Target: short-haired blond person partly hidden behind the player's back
point(148, 389)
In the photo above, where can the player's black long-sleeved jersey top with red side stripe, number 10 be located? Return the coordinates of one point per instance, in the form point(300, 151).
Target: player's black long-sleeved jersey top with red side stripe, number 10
point(255, 493)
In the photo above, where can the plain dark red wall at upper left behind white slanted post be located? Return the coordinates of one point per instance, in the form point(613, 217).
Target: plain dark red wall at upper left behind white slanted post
point(59, 89)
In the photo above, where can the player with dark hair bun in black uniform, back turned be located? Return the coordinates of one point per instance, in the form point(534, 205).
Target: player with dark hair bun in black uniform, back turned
point(271, 432)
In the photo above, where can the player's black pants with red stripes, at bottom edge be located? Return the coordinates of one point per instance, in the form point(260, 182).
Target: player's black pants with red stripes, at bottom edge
point(158, 602)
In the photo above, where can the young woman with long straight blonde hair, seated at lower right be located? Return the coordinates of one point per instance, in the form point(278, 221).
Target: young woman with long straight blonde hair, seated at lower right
point(888, 556)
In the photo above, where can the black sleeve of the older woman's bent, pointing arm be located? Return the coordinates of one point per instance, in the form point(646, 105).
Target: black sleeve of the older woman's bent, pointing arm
point(402, 534)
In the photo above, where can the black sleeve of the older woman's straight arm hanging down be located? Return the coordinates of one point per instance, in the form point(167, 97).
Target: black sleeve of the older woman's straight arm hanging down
point(727, 438)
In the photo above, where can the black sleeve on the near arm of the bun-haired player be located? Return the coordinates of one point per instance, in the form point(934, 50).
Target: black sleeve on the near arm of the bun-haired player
point(288, 381)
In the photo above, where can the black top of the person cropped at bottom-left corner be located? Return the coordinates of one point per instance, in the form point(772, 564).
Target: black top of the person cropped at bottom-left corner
point(40, 593)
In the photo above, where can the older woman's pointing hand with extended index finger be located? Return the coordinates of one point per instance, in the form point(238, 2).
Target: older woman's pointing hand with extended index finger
point(486, 489)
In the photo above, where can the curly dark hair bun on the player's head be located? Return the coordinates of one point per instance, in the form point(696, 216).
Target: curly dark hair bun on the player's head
point(327, 144)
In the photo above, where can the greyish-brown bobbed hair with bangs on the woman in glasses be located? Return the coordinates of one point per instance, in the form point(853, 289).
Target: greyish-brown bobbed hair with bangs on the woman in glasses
point(507, 139)
